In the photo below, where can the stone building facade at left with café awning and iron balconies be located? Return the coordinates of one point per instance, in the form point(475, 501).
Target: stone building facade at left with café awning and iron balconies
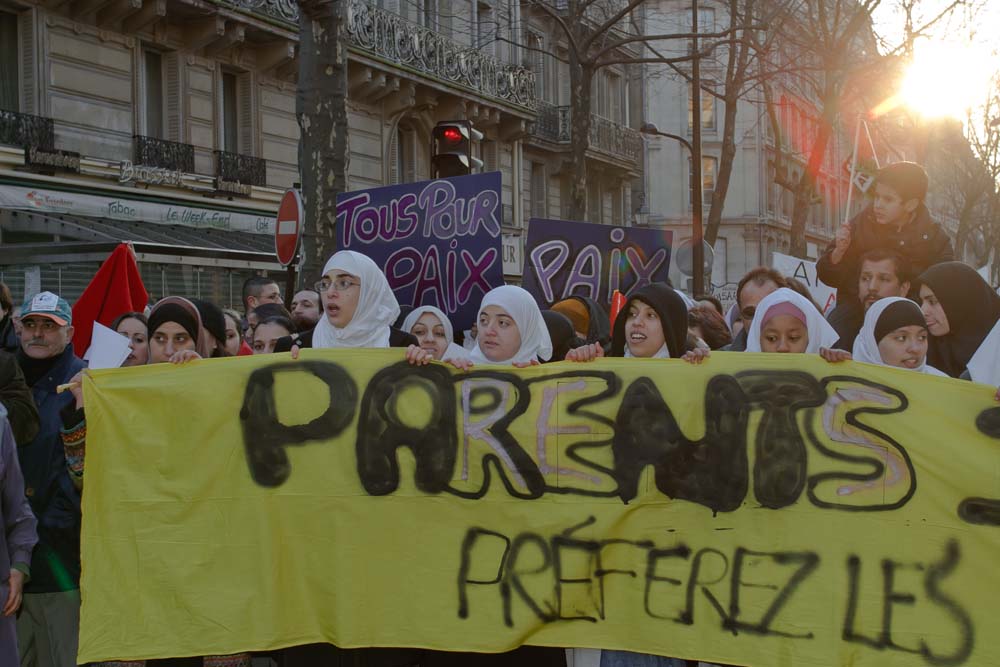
point(173, 122)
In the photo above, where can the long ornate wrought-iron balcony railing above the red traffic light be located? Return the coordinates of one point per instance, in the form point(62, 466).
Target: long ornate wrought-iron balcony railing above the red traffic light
point(387, 36)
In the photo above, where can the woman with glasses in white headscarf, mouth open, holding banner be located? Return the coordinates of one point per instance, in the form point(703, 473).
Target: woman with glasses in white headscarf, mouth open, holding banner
point(358, 308)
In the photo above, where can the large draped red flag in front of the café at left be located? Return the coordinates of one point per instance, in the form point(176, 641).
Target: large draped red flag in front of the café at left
point(116, 288)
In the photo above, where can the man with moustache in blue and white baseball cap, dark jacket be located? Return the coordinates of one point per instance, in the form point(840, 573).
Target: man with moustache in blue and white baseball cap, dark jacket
point(48, 626)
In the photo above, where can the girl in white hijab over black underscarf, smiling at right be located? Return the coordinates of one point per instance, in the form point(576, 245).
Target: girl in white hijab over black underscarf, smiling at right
point(894, 334)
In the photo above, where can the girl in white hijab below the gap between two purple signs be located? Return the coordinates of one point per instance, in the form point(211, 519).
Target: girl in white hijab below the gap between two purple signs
point(511, 330)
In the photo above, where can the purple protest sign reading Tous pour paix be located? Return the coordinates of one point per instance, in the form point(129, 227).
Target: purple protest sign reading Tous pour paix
point(438, 242)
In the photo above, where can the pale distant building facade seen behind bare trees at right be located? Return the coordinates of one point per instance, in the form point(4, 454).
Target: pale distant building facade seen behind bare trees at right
point(756, 219)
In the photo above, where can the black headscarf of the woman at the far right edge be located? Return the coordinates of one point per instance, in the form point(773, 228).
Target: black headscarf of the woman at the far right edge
point(972, 308)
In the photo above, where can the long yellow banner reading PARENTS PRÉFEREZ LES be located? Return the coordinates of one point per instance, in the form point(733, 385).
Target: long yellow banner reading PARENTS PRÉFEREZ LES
point(755, 510)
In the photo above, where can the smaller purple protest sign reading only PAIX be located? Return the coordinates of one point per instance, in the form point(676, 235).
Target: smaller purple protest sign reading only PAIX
point(566, 258)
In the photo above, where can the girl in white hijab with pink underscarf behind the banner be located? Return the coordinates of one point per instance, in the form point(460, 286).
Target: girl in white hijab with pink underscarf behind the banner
point(785, 321)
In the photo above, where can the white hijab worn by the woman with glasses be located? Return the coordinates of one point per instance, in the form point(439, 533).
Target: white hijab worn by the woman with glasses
point(377, 306)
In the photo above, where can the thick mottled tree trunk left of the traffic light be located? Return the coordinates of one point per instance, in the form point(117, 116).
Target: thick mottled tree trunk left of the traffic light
point(321, 108)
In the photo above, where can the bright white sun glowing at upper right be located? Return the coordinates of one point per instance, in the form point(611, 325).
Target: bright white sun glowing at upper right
point(945, 79)
